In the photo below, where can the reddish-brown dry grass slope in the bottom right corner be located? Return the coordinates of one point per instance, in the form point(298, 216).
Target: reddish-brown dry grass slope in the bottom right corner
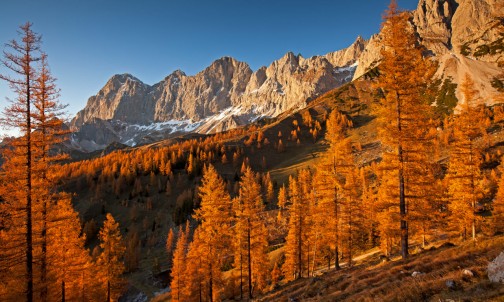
point(392, 281)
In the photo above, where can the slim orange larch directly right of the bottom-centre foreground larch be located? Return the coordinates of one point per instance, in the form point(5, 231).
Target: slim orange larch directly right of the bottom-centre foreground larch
point(250, 239)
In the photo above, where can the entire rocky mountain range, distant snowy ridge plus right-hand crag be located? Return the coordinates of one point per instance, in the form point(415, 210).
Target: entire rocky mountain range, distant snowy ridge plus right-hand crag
point(463, 36)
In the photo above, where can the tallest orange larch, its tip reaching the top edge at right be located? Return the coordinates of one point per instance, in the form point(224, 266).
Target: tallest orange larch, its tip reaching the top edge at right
point(403, 113)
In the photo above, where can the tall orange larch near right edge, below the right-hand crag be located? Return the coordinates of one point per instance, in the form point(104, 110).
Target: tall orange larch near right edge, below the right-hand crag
point(464, 175)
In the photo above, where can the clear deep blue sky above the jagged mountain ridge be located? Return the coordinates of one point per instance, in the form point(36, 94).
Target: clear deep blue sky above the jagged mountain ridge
point(88, 41)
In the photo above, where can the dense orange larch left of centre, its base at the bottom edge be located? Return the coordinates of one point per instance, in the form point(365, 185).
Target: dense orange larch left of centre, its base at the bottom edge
point(215, 219)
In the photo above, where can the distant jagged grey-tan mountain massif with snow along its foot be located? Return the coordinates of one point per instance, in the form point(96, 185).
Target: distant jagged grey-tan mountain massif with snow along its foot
point(223, 96)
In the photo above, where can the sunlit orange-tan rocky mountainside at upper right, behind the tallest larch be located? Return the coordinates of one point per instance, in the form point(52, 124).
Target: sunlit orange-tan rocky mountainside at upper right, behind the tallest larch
point(464, 36)
